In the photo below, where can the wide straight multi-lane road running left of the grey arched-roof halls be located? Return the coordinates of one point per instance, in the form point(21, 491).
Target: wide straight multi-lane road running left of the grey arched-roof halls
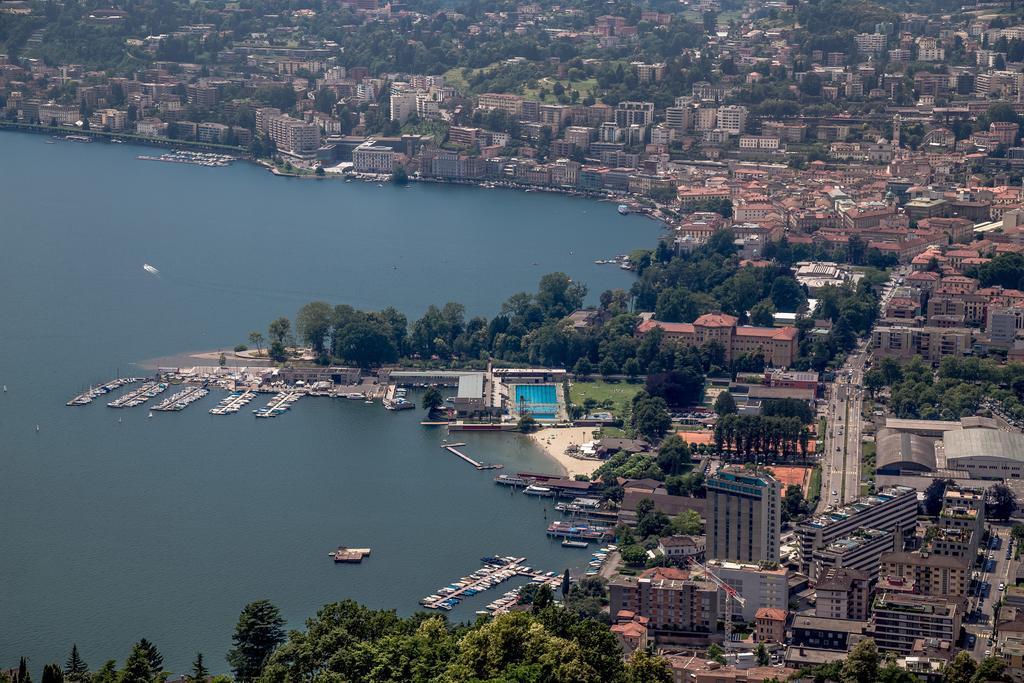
point(841, 462)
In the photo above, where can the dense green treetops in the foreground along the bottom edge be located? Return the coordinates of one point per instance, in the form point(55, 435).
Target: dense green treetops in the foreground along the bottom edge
point(548, 643)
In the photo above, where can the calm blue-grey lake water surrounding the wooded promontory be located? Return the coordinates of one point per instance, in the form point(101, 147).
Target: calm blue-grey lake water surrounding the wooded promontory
point(165, 528)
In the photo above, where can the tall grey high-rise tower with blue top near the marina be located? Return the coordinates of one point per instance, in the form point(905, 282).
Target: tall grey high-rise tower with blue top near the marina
point(744, 514)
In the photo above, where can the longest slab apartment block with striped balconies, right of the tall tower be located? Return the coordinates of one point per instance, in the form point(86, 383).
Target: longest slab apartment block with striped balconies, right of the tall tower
point(893, 510)
